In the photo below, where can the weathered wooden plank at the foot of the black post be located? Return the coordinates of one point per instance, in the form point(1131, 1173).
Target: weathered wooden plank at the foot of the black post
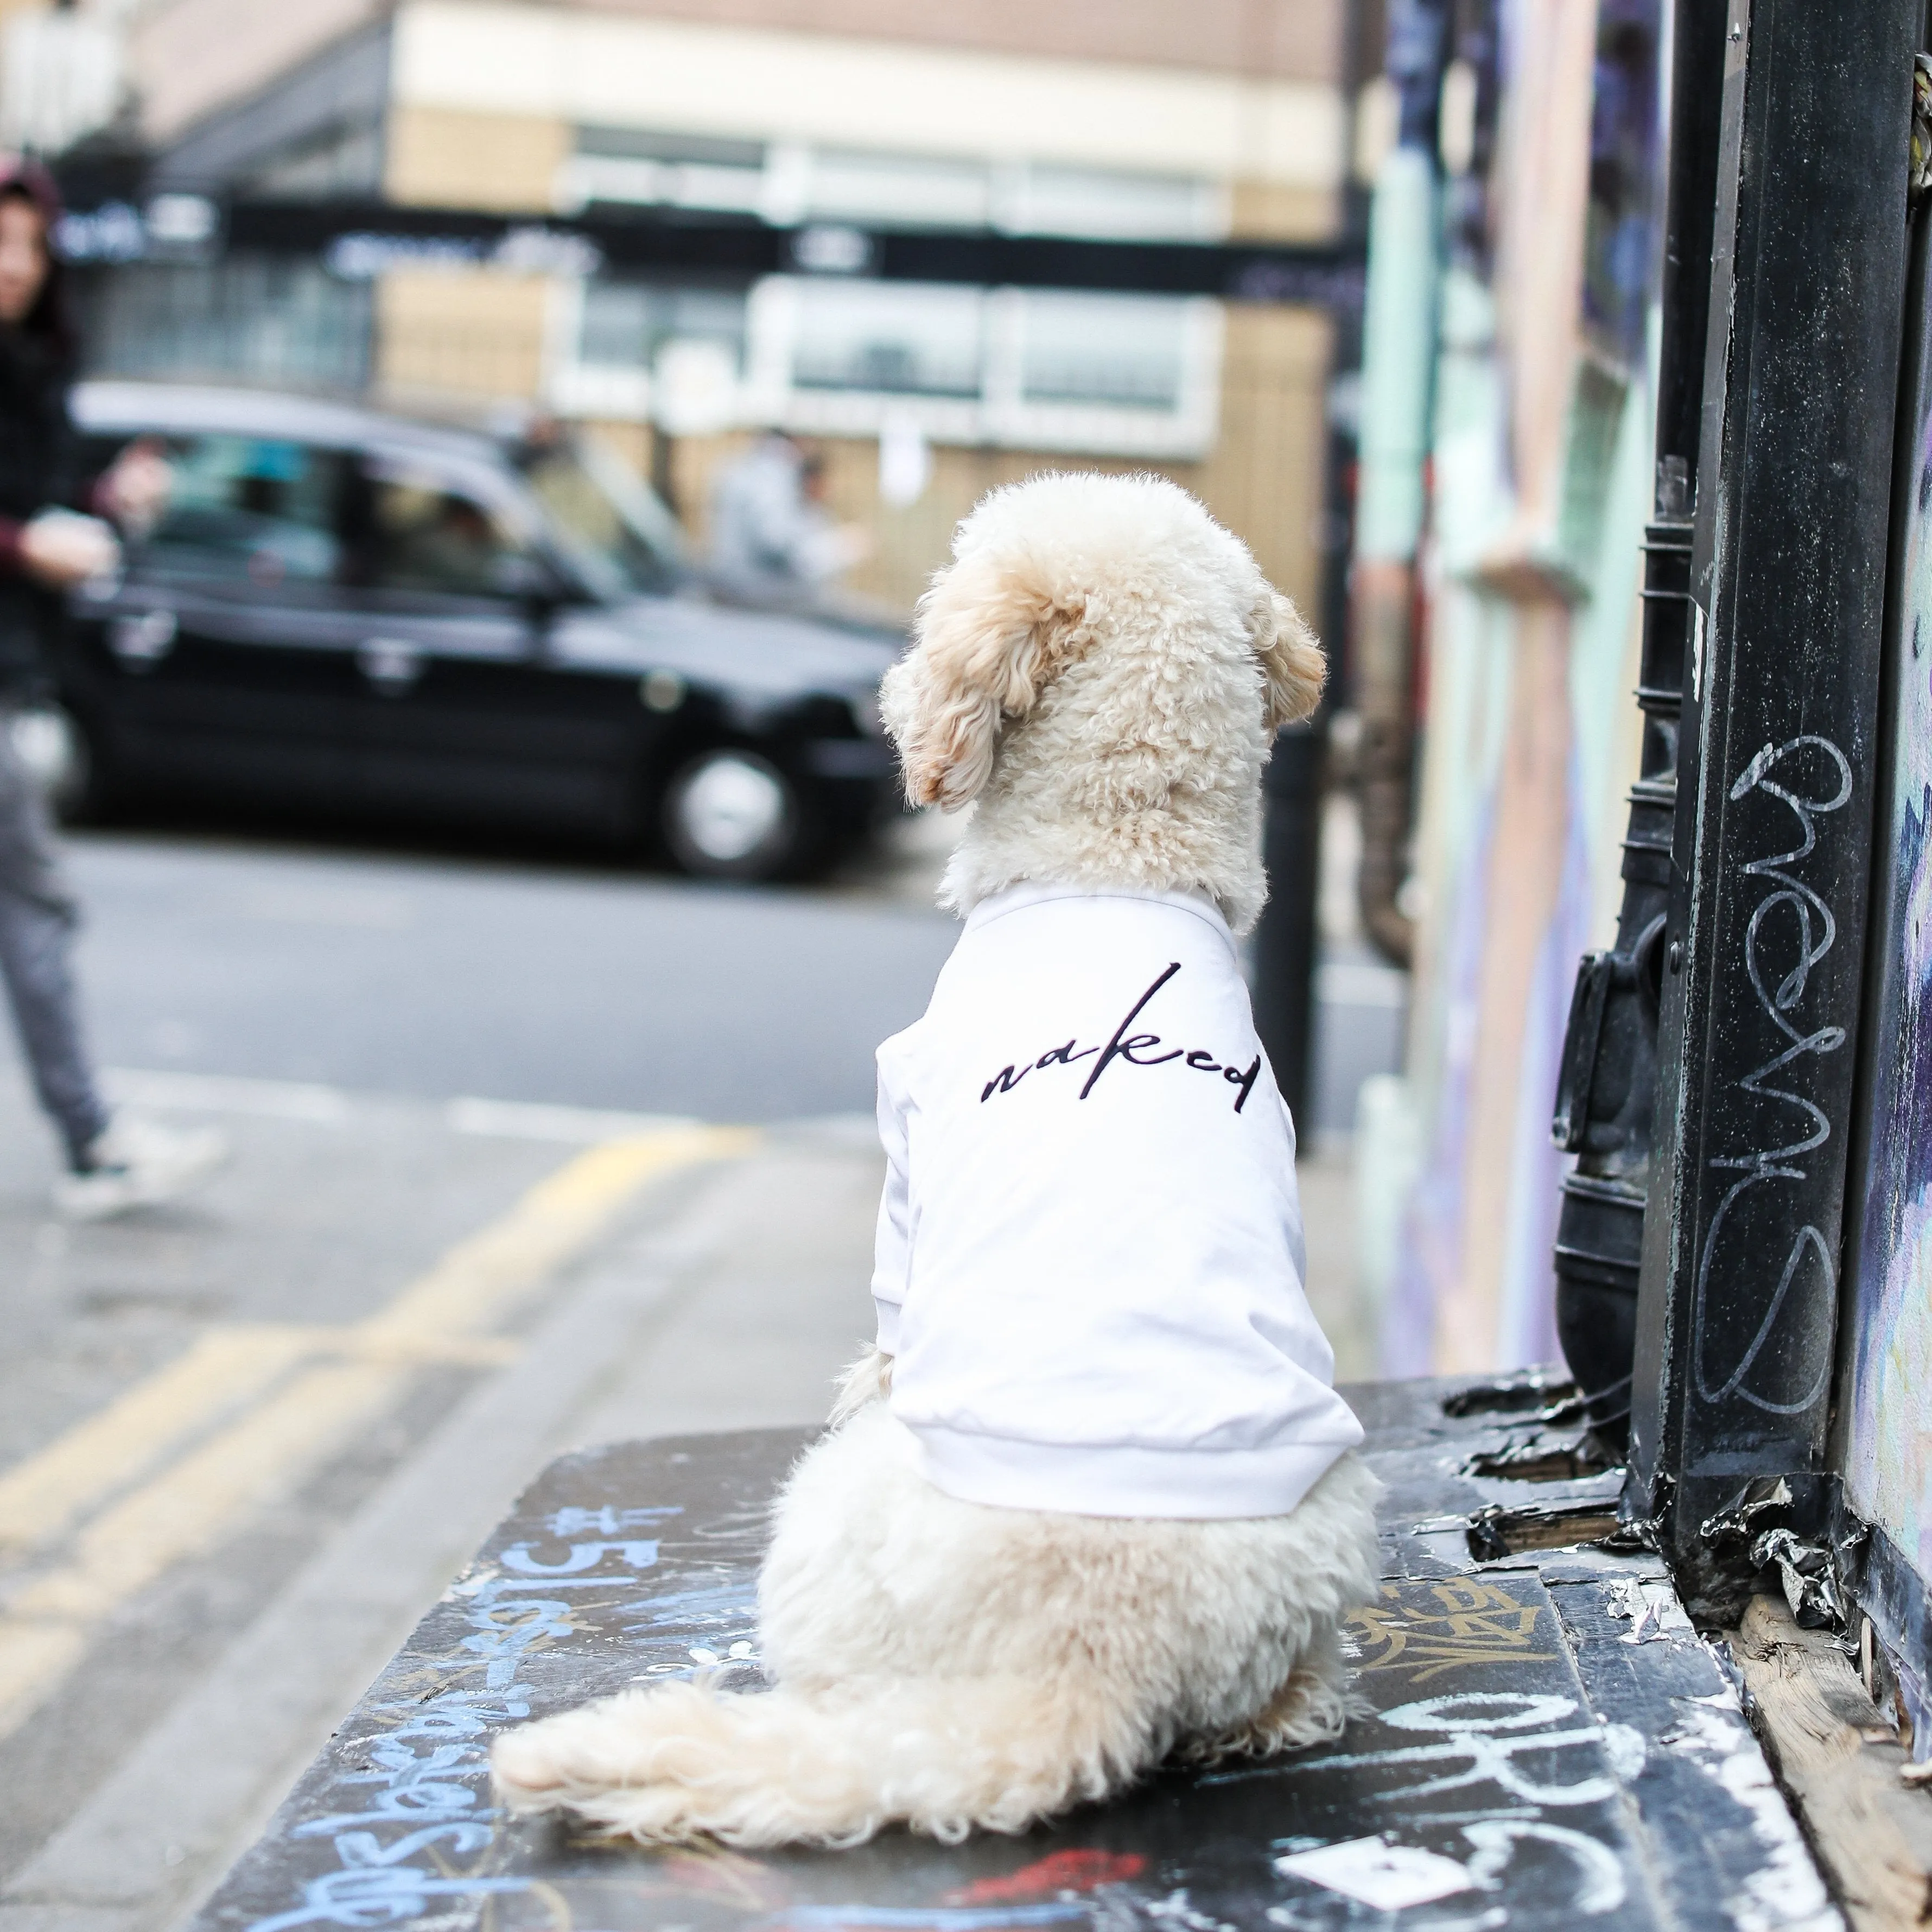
point(1842, 1765)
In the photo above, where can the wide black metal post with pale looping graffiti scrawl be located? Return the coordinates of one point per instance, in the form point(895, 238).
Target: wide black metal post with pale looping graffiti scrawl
point(1775, 809)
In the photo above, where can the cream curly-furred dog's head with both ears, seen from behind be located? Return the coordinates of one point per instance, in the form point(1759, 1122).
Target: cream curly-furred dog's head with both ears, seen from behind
point(1122, 586)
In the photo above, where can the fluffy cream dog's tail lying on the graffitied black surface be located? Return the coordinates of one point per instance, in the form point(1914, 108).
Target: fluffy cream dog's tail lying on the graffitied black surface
point(830, 1769)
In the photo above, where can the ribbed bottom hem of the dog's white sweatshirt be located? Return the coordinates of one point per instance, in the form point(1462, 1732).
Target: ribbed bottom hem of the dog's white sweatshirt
point(1123, 1479)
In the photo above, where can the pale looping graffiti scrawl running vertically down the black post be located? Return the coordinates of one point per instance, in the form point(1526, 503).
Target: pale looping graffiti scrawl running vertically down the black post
point(1817, 934)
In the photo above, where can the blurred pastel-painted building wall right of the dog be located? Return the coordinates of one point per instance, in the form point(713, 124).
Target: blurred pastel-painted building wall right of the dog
point(1514, 264)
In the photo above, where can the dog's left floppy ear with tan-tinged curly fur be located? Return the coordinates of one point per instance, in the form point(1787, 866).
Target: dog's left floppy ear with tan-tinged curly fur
point(990, 639)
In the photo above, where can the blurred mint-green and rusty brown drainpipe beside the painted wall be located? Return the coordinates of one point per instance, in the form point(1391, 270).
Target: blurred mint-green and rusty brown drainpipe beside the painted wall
point(1398, 376)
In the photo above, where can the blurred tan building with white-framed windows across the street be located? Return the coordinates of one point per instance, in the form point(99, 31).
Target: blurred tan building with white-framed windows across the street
point(1077, 121)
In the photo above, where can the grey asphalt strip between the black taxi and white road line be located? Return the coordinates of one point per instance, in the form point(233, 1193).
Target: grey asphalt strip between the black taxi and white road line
point(557, 982)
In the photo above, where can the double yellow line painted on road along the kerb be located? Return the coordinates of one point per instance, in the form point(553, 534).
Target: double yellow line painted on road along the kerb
point(287, 1400)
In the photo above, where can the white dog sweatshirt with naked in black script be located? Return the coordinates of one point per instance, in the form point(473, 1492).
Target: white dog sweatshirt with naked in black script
point(1091, 1245)
